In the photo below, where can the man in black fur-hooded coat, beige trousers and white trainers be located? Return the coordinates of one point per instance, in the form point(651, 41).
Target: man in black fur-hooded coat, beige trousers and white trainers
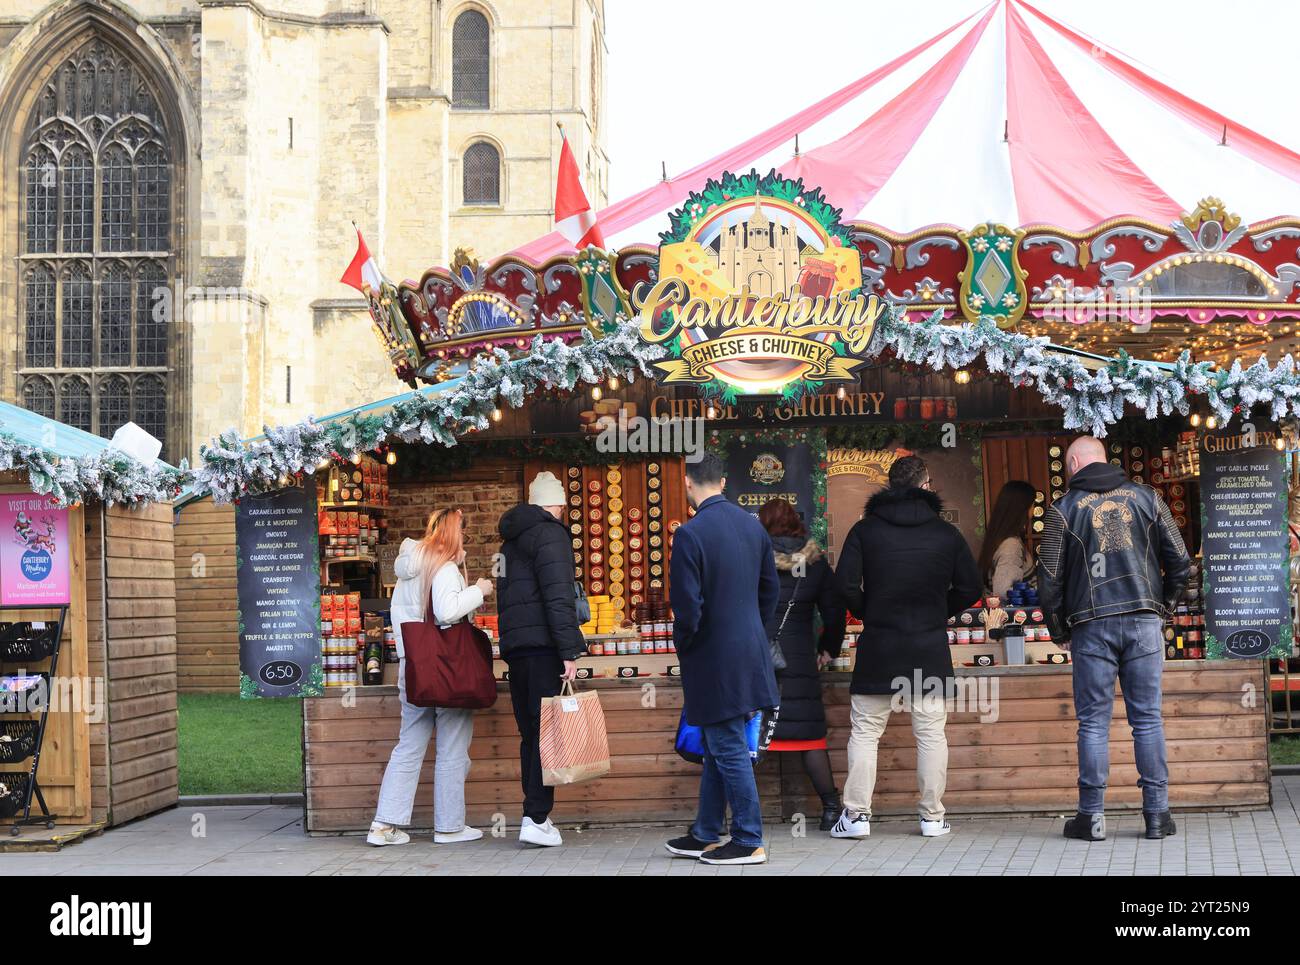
point(904, 572)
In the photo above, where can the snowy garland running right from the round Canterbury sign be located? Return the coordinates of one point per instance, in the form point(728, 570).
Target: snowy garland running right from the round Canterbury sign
point(1093, 400)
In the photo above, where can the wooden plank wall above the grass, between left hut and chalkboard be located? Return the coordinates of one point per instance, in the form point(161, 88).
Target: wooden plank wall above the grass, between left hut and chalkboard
point(207, 600)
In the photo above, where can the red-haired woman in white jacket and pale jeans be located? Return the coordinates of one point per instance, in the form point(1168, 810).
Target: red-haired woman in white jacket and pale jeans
point(428, 570)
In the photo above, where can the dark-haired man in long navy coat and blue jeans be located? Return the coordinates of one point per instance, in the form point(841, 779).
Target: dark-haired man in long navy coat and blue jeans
point(723, 592)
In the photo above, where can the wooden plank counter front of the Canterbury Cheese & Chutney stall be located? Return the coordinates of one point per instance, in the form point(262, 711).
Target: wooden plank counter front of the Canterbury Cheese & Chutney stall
point(1012, 748)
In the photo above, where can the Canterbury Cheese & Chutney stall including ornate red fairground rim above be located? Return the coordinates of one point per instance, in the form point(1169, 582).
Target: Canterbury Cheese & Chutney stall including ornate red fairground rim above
point(772, 331)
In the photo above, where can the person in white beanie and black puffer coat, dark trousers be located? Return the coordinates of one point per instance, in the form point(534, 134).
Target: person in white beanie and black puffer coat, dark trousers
point(540, 637)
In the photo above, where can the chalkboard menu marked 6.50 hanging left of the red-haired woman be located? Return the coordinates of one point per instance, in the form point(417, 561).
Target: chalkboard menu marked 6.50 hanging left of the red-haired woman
point(279, 582)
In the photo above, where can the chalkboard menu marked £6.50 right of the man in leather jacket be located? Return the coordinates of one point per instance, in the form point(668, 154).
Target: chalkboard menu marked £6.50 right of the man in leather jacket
point(1245, 547)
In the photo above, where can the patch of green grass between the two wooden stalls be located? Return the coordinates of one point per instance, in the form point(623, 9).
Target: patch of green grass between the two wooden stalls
point(240, 747)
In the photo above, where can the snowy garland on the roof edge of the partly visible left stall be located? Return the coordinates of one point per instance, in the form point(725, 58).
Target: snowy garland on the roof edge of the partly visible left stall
point(109, 477)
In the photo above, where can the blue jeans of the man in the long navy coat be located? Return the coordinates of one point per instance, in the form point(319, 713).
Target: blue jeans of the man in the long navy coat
point(729, 778)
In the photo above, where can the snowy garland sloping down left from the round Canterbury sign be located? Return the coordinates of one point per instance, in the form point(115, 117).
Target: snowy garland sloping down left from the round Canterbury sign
point(229, 466)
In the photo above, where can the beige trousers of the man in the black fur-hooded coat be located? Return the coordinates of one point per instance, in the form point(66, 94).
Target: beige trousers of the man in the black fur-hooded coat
point(869, 715)
